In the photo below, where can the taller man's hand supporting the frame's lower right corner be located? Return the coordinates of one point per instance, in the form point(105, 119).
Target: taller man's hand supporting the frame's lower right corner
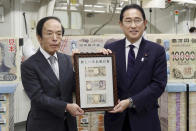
point(121, 106)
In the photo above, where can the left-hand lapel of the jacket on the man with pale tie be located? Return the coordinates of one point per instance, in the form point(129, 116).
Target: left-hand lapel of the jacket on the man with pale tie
point(45, 67)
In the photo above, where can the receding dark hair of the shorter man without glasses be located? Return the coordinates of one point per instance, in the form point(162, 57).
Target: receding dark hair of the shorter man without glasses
point(41, 22)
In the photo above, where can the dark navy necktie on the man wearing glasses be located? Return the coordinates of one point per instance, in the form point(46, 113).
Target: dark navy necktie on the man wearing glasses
point(131, 60)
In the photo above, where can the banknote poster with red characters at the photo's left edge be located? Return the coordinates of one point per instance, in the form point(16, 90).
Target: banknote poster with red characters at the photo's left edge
point(9, 63)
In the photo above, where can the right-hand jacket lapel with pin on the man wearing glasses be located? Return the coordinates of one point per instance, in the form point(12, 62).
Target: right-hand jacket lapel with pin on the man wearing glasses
point(140, 60)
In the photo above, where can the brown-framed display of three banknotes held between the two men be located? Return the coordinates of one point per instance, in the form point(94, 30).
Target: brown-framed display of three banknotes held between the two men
point(96, 88)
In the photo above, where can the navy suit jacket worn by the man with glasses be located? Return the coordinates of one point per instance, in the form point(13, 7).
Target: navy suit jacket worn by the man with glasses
point(148, 81)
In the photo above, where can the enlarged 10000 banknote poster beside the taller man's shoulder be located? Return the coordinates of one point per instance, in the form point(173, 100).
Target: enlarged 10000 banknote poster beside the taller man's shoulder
point(180, 54)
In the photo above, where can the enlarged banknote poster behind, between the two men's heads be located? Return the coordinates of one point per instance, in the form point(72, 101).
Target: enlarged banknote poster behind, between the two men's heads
point(86, 44)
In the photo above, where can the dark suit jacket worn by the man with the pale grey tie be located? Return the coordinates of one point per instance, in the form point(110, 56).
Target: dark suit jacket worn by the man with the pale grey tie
point(49, 96)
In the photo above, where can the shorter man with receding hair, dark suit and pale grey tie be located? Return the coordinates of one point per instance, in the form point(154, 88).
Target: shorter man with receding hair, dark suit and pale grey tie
point(48, 80)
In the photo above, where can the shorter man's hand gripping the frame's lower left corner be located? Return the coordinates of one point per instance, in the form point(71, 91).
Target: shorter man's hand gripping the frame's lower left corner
point(74, 109)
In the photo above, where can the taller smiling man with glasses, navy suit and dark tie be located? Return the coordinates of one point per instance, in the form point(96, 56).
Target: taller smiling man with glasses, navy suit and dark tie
point(141, 76)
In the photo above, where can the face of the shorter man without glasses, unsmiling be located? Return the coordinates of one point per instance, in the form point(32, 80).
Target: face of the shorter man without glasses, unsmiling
point(51, 36)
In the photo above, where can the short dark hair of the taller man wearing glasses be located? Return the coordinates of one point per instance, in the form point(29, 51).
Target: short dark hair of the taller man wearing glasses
point(132, 6)
